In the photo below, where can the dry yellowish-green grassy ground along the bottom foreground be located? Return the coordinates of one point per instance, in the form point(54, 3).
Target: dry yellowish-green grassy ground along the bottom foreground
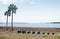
point(15, 35)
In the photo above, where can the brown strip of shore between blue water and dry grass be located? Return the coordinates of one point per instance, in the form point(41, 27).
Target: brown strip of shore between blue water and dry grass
point(31, 29)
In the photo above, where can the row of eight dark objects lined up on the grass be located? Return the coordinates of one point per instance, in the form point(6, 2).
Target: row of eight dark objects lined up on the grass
point(35, 32)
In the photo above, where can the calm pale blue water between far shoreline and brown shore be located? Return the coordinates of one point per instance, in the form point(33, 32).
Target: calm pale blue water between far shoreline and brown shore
point(38, 25)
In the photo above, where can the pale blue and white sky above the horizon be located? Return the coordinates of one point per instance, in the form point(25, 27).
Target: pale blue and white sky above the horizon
point(33, 11)
